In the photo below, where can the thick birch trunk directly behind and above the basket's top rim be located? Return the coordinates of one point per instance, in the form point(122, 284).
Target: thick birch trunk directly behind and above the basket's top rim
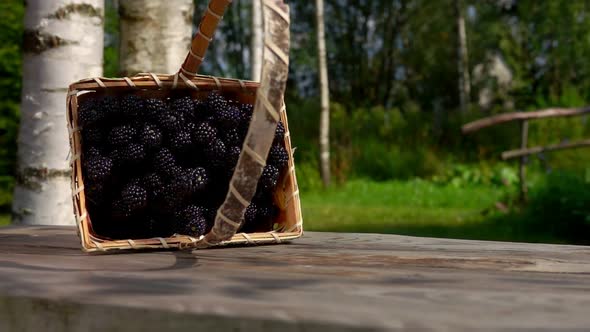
point(155, 35)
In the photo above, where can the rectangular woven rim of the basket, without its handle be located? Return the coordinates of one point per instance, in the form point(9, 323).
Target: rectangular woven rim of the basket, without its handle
point(289, 222)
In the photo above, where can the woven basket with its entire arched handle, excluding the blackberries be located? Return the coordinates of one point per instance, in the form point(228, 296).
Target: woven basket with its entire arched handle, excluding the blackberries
point(267, 97)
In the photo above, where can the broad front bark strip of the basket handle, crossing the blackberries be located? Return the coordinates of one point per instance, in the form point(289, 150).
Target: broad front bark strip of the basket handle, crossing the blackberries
point(267, 112)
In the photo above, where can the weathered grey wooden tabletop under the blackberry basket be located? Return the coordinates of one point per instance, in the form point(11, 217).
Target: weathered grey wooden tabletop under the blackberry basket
point(323, 282)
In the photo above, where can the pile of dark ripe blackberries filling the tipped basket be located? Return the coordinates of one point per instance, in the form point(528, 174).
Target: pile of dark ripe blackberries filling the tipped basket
point(158, 167)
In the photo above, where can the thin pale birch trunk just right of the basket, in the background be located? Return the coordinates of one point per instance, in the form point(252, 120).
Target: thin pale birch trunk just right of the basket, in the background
point(325, 96)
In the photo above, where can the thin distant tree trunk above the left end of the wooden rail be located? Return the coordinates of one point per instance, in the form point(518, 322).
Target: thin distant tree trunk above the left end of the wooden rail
point(462, 59)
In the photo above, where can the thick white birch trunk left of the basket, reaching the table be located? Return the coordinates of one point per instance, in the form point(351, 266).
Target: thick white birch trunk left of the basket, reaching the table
point(63, 43)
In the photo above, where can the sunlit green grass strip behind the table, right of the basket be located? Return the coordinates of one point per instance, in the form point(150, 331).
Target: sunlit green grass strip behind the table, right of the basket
point(416, 208)
